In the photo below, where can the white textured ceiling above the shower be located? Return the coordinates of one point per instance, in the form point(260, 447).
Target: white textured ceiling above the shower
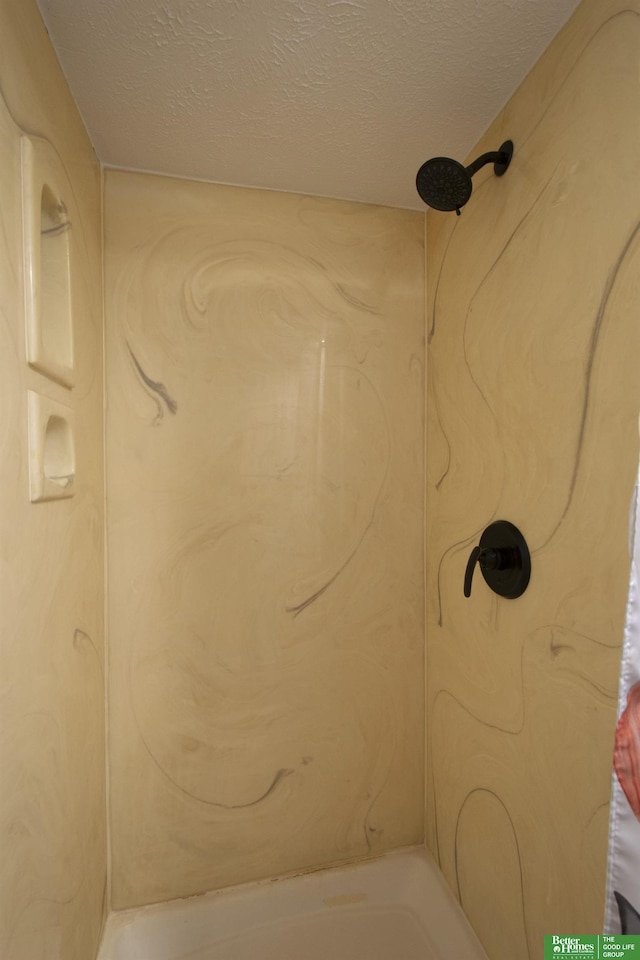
point(341, 98)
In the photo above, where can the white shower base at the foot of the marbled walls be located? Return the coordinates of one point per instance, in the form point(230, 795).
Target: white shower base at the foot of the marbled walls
point(397, 907)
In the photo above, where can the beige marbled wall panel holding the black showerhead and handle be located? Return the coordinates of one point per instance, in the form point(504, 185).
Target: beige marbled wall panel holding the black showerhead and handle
point(534, 396)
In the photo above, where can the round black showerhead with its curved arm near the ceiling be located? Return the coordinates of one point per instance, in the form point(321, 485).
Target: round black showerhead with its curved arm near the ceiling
point(445, 184)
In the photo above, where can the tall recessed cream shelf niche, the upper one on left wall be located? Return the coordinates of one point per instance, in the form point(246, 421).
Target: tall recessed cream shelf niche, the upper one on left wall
point(48, 260)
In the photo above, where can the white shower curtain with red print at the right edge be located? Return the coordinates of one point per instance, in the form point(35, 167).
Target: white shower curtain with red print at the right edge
point(622, 913)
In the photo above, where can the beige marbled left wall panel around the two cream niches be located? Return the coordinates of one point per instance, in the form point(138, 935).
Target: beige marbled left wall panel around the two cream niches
point(52, 782)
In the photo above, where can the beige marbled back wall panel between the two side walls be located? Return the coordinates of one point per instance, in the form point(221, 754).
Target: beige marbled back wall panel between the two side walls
point(265, 371)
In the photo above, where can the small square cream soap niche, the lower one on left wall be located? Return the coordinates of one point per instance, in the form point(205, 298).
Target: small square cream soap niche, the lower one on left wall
point(52, 462)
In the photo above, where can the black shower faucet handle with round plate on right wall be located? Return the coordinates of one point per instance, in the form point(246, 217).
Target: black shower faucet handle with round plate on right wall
point(504, 560)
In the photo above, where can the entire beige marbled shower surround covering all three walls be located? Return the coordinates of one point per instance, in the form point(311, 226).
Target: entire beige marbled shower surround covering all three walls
point(264, 586)
